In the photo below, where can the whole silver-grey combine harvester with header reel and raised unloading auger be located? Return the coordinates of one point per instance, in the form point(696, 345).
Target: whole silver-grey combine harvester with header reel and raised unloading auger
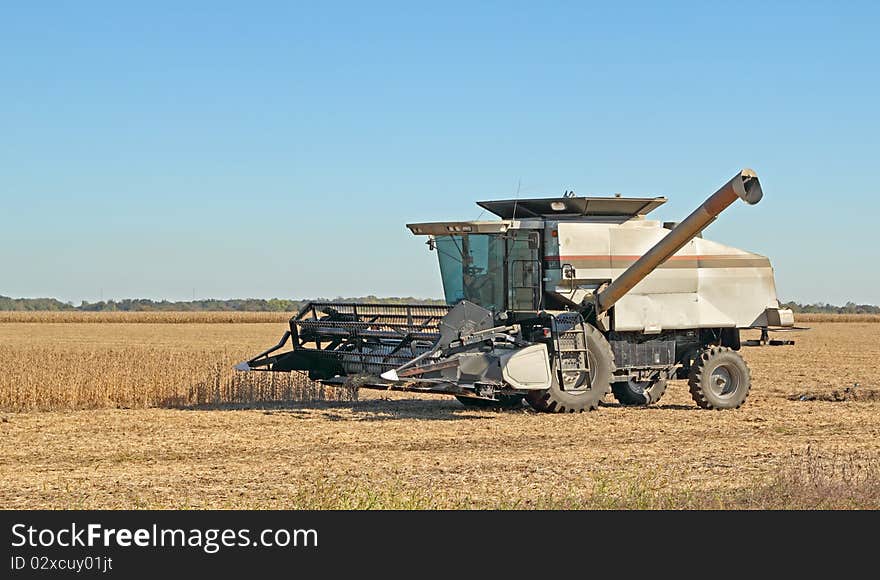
point(559, 302)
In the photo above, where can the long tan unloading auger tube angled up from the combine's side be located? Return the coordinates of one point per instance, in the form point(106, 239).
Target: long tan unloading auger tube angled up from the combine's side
point(744, 185)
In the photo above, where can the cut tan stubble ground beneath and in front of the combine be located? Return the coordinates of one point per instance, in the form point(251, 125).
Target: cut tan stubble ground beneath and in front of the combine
point(392, 450)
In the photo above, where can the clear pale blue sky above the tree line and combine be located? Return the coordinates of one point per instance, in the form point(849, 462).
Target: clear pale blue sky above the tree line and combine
point(260, 149)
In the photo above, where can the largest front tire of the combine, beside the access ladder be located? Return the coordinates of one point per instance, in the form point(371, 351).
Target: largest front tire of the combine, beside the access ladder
point(579, 391)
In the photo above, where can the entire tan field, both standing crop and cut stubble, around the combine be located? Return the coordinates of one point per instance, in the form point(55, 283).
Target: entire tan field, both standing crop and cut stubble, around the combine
point(781, 450)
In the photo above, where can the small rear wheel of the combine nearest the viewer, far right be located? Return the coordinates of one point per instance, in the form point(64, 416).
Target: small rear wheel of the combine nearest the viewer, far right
point(719, 379)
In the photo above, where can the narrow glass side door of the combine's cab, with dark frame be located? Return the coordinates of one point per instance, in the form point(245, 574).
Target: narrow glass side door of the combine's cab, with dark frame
point(523, 270)
